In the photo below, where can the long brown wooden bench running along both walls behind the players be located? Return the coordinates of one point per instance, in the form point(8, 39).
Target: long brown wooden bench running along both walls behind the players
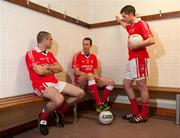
point(30, 99)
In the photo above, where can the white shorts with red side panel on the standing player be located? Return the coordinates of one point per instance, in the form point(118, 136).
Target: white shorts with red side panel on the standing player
point(137, 69)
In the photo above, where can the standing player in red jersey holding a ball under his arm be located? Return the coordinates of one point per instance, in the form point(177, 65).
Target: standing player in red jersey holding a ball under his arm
point(137, 68)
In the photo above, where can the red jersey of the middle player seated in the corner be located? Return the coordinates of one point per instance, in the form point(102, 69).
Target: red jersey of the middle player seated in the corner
point(85, 63)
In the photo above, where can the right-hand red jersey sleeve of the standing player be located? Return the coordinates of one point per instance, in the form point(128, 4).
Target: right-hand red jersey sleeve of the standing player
point(145, 30)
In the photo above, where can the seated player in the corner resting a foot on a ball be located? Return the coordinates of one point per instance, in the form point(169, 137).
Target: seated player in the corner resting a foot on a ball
point(85, 67)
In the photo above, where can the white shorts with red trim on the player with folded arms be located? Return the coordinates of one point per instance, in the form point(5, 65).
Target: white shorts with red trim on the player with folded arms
point(39, 89)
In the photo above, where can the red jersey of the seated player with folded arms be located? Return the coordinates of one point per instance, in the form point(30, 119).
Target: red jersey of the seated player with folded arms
point(36, 57)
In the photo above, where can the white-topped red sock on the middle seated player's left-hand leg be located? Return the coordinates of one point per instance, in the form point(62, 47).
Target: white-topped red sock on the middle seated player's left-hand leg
point(94, 91)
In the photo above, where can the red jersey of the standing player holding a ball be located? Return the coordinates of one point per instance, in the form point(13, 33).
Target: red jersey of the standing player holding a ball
point(141, 28)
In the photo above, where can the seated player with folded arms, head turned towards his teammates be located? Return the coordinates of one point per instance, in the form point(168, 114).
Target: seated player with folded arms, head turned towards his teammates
point(42, 66)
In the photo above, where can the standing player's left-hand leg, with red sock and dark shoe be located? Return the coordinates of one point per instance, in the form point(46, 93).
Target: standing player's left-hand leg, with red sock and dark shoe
point(127, 84)
